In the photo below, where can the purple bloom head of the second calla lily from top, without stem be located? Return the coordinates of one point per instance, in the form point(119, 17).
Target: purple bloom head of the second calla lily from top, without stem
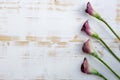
point(87, 29)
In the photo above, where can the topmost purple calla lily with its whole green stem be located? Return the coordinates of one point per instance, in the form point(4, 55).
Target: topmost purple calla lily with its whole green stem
point(93, 13)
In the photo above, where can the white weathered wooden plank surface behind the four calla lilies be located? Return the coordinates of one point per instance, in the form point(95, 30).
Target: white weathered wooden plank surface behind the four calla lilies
point(41, 39)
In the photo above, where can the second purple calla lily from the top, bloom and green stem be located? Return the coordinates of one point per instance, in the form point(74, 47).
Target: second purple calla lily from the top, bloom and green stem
point(88, 30)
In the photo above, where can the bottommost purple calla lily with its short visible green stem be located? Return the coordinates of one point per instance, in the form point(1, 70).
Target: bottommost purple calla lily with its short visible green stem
point(87, 69)
